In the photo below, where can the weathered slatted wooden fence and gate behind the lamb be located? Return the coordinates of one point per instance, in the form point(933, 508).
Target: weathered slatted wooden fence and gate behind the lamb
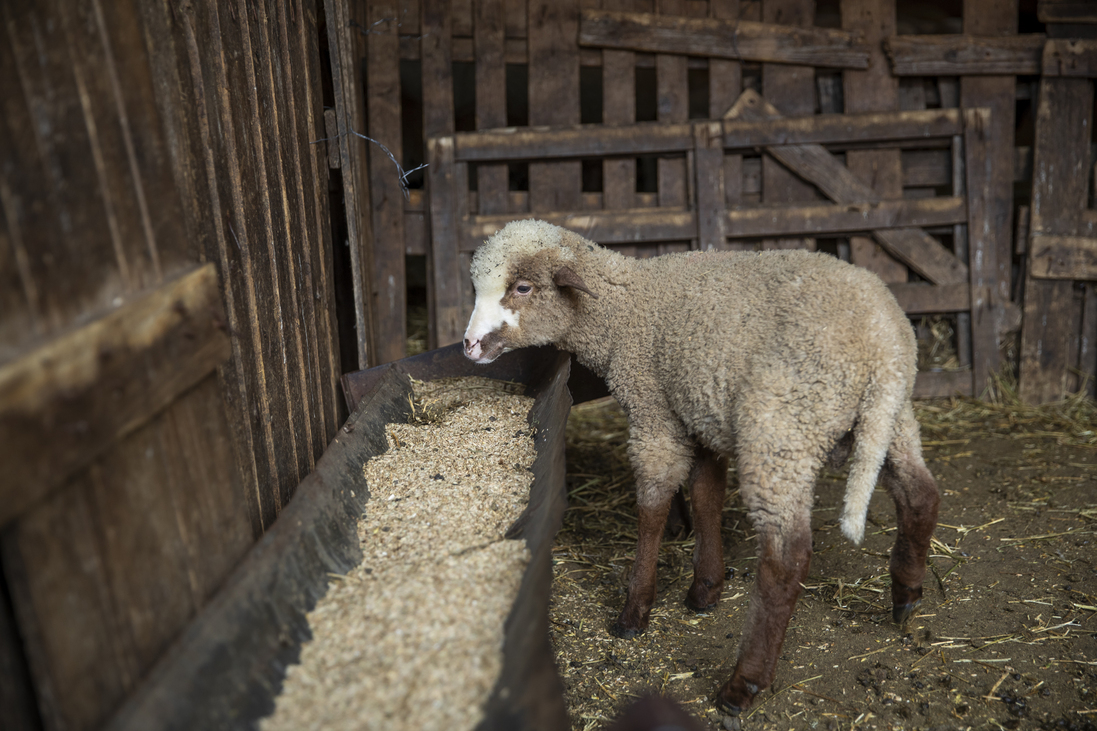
point(644, 69)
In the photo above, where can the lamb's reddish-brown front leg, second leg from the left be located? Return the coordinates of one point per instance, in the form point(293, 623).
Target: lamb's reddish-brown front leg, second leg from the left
point(709, 480)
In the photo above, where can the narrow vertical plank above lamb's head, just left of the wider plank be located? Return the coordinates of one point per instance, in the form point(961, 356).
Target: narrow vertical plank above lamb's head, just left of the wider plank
point(491, 98)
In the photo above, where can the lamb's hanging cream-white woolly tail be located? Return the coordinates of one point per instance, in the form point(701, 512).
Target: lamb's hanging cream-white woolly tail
point(873, 436)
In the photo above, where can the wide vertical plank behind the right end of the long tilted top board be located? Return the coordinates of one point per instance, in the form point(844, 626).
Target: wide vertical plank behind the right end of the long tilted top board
point(874, 91)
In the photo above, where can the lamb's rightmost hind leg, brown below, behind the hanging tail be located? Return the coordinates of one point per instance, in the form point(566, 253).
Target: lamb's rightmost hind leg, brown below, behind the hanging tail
point(914, 491)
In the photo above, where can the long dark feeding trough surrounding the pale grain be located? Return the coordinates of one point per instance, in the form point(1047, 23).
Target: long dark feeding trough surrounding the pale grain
point(229, 667)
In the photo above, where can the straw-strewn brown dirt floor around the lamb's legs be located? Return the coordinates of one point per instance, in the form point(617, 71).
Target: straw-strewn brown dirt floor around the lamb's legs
point(1004, 639)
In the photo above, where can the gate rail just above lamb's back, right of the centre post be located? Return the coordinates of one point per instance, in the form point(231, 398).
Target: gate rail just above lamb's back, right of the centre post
point(794, 220)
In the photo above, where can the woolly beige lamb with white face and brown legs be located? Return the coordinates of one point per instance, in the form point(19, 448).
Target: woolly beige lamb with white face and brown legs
point(782, 361)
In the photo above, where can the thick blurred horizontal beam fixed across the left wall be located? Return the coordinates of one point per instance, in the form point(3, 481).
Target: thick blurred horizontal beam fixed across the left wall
point(67, 402)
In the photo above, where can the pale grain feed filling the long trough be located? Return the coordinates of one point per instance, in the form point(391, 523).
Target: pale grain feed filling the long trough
point(413, 637)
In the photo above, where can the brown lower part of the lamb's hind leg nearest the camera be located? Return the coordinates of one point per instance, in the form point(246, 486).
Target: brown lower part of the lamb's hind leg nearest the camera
point(784, 560)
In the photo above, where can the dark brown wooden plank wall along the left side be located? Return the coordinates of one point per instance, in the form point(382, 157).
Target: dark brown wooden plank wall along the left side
point(168, 343)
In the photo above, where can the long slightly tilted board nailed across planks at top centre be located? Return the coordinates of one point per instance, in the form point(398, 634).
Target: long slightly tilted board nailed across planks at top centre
point(721, 39)
